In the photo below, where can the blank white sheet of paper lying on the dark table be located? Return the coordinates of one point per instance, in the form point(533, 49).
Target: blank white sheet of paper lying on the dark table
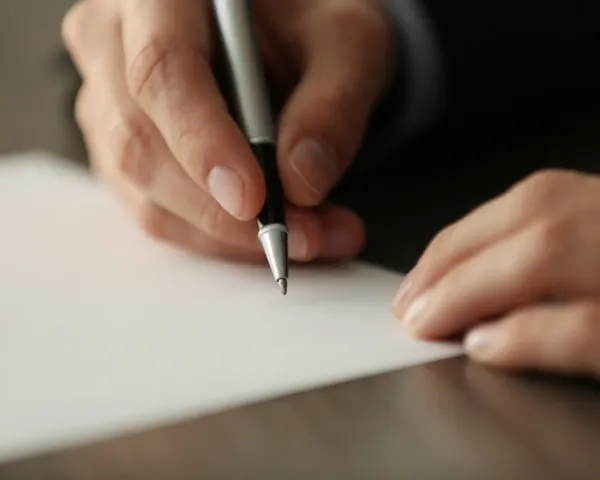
point(104, 331)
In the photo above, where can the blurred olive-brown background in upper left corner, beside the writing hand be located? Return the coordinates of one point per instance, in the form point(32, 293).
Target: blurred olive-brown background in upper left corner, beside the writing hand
point(36, 81)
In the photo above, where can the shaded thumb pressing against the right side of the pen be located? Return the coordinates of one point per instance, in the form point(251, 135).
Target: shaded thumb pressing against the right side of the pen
point(322, 125)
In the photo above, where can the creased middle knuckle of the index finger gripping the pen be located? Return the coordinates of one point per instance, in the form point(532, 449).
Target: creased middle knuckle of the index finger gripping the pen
point(152, 67)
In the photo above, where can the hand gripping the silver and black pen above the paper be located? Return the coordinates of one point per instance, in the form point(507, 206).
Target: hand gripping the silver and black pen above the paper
point(158, 130)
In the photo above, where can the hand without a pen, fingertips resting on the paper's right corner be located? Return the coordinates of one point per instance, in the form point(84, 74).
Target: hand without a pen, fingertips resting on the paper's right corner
point(520, 275)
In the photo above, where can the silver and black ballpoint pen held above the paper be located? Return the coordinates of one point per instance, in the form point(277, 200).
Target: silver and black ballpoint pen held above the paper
point(234, 22)
